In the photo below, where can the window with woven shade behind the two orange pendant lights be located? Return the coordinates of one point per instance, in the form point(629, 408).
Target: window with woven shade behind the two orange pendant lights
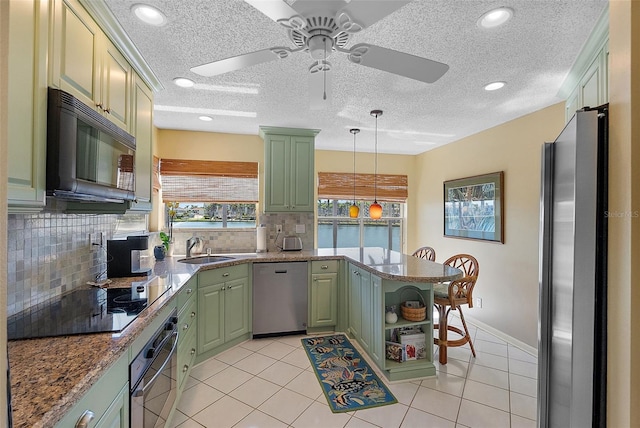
point(336, 229)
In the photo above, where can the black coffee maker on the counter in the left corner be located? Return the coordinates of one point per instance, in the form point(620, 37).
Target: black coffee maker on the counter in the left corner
point(123, 256)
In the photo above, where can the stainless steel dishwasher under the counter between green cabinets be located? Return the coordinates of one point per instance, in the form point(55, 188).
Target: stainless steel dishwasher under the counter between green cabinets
point(279, 298)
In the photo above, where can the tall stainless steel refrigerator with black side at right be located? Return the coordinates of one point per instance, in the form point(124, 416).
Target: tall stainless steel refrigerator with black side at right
point(573, 275)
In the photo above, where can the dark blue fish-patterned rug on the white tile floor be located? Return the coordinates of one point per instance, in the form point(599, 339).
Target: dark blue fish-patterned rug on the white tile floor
point(348, 382)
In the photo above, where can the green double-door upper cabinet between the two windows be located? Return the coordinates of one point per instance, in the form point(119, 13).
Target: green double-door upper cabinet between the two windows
point(289, 169)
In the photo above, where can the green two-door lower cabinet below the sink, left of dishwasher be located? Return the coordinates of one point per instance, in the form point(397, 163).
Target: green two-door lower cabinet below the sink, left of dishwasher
point(223, 313)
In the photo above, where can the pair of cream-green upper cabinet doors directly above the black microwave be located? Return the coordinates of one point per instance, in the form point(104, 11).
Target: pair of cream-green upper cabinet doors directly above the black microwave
point(87, 65)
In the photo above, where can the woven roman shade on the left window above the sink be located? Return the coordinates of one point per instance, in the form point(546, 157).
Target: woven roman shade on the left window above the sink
point(185, 180)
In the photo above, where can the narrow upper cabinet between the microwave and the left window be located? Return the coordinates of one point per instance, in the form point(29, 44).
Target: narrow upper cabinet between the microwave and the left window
point(142, 127)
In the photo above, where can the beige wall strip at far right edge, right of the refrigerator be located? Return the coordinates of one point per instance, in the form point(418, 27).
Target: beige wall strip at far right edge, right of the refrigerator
point(623, 383)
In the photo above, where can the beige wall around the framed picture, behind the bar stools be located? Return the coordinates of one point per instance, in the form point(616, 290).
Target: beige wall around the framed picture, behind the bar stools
point(508, 280)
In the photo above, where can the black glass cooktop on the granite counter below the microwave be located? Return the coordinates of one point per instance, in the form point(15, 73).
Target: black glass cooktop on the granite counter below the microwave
point(85, 310)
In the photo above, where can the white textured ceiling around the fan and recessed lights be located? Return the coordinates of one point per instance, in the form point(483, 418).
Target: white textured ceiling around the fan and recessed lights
point(533, 53)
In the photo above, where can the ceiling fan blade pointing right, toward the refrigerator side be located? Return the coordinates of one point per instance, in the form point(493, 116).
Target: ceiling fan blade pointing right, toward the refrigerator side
point(403, 64)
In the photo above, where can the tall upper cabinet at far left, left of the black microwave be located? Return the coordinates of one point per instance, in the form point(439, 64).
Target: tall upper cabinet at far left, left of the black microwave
point(27, 96)
